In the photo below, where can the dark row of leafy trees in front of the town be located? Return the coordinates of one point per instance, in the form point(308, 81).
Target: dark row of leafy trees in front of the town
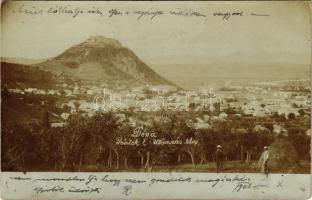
point(89, 143)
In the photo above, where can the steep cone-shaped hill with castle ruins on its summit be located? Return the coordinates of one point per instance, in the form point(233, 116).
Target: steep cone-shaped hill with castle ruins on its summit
point(103, 59)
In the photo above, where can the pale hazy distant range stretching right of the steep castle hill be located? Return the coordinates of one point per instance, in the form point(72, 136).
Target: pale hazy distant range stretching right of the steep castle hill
point(222, 73)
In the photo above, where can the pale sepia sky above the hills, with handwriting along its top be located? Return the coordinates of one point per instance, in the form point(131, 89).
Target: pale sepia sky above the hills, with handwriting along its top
point(283, 36)
